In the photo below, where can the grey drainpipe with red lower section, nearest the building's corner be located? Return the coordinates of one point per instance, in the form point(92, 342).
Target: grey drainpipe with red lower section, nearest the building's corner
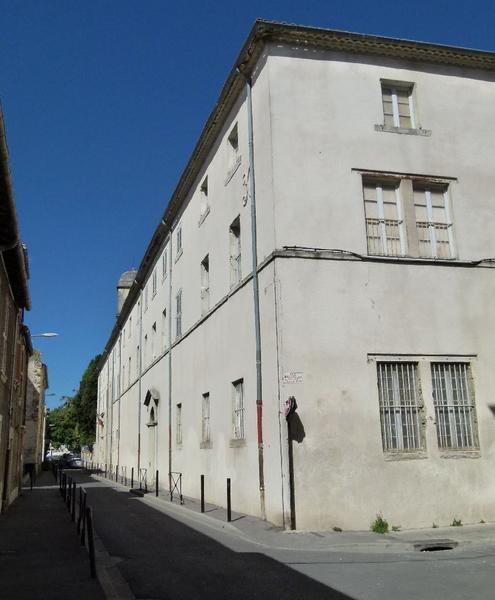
point(256, 295)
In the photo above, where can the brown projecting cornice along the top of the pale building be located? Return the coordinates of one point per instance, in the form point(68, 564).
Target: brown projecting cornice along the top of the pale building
point(297, 37)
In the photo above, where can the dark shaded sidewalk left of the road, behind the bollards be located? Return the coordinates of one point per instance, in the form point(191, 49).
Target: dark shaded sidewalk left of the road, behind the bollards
point(40, 554)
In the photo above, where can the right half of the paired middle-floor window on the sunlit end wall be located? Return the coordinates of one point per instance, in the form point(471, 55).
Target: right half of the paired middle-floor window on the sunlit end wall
point(433, 221)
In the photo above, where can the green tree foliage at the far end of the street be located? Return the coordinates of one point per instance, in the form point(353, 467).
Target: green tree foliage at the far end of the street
point(74, 423)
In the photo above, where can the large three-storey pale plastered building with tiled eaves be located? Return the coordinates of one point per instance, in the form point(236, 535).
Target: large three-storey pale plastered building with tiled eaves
point(328, 254)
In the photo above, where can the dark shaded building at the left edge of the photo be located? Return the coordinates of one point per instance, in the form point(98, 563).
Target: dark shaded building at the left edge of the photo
point(15, 341)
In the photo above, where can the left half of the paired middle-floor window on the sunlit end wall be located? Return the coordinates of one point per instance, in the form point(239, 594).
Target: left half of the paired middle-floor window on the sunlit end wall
point(385, 229)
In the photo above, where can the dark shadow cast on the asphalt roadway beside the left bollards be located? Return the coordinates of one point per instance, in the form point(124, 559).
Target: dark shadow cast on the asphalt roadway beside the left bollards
point(163, 558)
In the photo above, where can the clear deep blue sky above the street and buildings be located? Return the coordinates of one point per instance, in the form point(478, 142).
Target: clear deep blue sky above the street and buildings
point(103, 103)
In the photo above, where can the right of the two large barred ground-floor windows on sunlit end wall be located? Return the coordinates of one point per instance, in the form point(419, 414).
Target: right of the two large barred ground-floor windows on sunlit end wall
point(455, 412)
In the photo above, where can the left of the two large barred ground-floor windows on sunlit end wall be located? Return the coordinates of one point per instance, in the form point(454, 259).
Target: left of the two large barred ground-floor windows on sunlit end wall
point(400, 407)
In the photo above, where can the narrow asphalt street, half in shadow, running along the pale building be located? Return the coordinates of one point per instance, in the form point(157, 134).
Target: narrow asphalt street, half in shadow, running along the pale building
point(165, 551)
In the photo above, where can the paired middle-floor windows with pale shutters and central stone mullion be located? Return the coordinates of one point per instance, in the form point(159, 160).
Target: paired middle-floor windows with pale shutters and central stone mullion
point(408, 215)
